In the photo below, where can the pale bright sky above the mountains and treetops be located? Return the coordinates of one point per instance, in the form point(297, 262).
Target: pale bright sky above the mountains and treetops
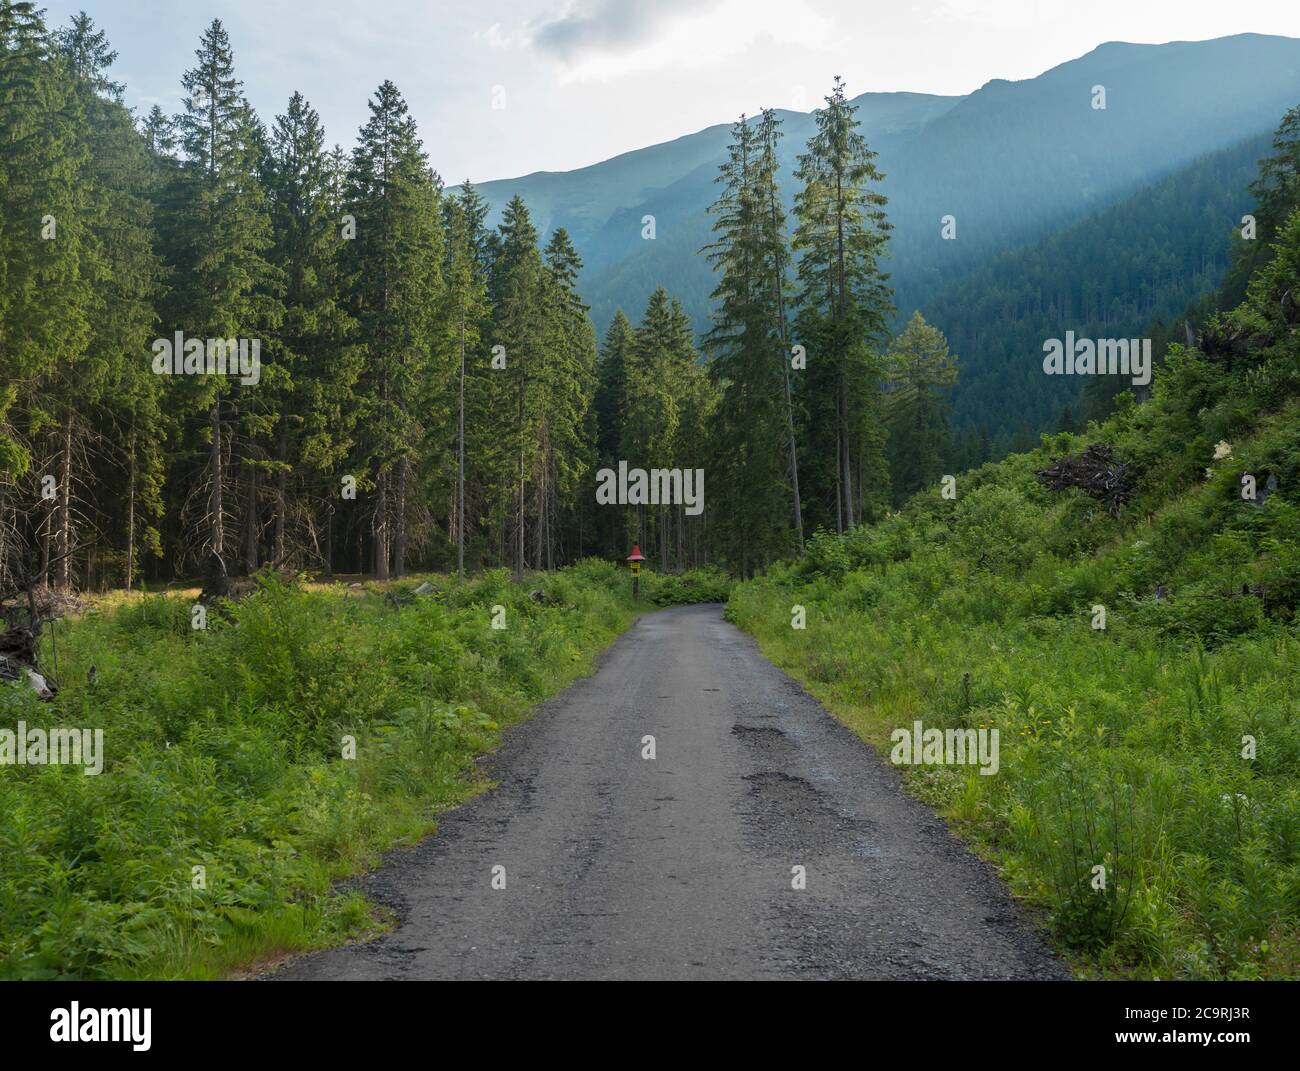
point(506, 88)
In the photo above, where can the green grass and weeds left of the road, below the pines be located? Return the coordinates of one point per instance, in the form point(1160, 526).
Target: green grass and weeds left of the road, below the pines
point(224, 751)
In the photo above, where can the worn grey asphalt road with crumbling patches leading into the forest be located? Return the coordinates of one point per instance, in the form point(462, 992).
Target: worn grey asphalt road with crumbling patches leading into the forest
point(681, 868)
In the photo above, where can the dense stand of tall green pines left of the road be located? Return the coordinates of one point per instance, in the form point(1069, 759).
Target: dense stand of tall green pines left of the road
point(375, 302)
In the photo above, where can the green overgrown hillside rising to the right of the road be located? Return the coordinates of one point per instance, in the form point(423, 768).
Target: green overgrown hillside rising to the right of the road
point(1137, 651)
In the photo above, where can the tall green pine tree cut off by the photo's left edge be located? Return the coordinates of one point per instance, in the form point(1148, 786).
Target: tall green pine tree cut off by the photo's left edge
point(47, 272)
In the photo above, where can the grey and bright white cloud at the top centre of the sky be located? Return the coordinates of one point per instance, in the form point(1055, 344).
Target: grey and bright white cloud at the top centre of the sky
point(605, 40)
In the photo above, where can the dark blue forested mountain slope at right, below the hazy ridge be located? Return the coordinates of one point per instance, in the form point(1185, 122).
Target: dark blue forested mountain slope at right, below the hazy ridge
point(1110, 276)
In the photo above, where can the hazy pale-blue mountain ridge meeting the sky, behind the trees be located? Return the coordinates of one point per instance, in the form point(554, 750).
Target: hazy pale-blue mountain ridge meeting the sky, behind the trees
point(1011, 162)
